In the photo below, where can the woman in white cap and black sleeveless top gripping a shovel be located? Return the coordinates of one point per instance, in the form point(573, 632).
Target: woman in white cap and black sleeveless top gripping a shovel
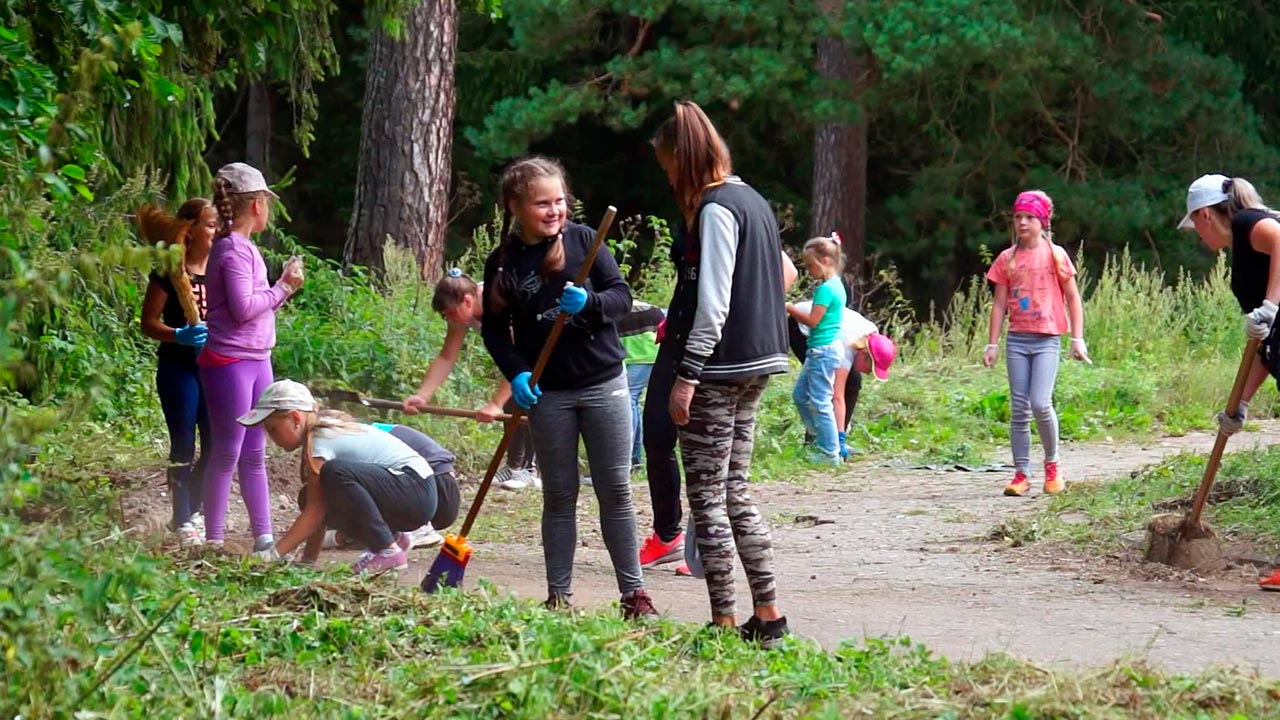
point(1229, 213)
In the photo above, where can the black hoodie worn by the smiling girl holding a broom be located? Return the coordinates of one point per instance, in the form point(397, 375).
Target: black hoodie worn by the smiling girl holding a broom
point(588, 352)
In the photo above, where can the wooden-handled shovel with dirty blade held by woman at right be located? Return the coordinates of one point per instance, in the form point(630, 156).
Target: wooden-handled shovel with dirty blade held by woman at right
point(1185, 541)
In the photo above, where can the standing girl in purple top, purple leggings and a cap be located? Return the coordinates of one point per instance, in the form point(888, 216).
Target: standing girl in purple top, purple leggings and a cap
point(236, 363)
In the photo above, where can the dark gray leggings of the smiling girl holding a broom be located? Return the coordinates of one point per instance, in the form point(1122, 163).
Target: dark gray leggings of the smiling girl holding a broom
point(602, 417)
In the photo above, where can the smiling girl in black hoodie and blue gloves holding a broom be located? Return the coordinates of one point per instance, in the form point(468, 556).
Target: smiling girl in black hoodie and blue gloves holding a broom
point(583, 393)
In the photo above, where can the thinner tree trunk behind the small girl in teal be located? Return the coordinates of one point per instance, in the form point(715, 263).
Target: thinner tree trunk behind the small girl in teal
point(840, 161)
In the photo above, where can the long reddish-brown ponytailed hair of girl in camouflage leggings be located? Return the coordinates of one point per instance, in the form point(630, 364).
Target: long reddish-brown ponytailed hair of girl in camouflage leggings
point(700, 152)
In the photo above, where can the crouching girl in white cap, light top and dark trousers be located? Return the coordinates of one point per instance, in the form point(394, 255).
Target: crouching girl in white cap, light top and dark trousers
point(362, 481)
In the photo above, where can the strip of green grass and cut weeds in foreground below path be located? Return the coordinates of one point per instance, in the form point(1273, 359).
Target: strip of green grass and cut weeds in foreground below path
point(103, 630)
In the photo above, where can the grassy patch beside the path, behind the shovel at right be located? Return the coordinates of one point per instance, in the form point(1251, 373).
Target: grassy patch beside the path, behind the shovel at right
point(1244, 503)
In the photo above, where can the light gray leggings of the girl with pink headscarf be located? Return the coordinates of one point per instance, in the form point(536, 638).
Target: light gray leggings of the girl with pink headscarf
point(1032, 361)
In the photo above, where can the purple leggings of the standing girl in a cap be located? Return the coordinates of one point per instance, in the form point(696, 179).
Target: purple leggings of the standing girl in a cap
point(230, 393)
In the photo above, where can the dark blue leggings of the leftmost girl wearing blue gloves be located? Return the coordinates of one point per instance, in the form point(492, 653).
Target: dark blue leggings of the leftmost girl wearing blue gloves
point(184, 405)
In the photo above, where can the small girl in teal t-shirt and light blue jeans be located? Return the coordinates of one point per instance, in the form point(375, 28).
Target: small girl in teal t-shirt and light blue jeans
point(817, 379)
